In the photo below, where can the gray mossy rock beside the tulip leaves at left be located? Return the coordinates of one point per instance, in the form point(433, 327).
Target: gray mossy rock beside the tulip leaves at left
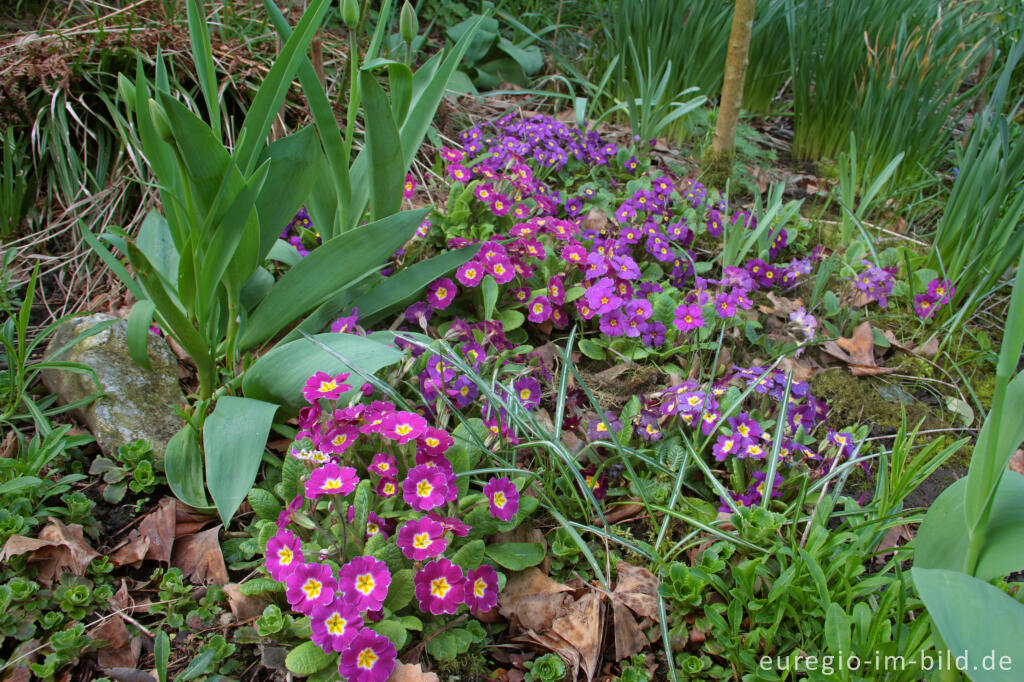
point(137, 403)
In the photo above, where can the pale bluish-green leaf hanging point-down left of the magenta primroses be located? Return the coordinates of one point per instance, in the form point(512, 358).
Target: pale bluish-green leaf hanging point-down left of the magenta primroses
point(235, 437)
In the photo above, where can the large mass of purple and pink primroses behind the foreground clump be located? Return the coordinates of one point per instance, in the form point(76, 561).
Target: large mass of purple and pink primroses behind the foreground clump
point(556, 263)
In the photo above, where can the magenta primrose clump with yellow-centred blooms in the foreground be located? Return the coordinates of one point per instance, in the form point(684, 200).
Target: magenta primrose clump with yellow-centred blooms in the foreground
point(374, 476)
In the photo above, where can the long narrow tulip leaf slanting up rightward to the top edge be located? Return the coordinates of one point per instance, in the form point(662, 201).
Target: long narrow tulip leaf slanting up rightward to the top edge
point(275, 88)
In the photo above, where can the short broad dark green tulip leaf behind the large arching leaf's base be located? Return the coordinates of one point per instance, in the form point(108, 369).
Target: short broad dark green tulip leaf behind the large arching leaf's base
point(293, 173)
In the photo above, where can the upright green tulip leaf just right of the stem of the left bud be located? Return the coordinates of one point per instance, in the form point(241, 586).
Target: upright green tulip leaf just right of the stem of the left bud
point(383, 149)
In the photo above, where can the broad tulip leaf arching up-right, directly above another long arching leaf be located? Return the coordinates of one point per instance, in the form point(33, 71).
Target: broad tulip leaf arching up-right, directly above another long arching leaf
point(328, 271)
